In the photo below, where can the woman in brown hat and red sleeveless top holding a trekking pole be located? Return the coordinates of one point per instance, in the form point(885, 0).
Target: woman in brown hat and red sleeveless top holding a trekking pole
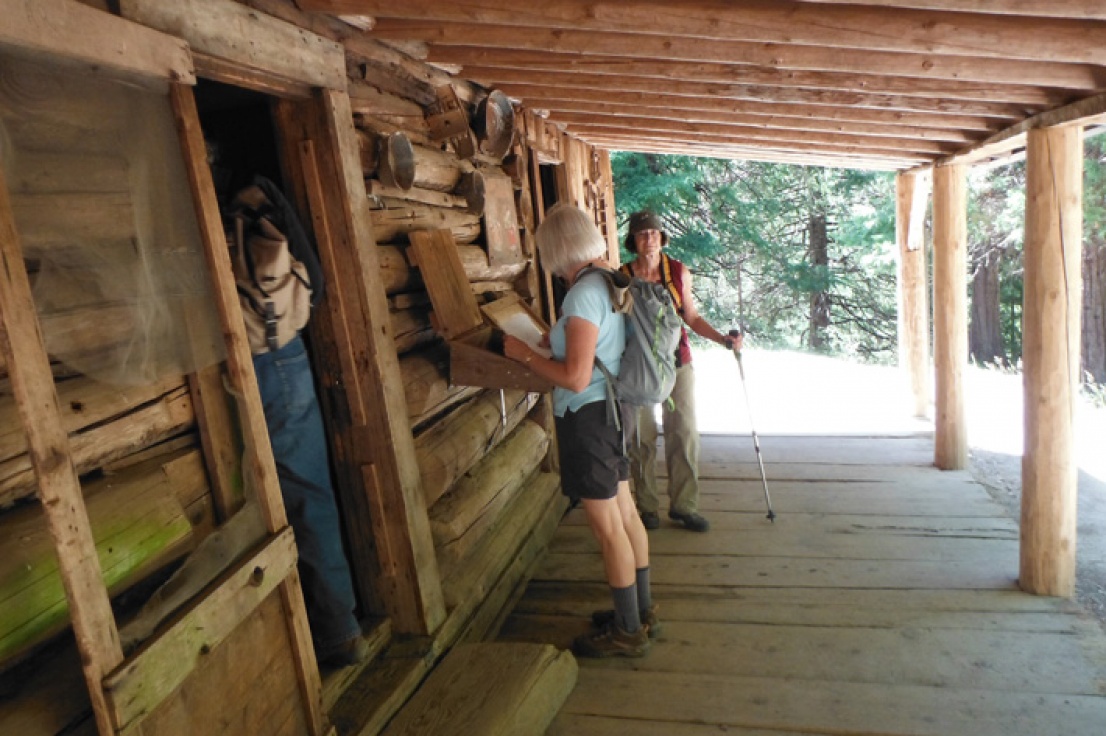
point(646, 240)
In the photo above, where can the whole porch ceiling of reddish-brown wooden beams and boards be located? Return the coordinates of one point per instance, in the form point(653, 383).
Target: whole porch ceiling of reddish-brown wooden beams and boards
point(888, 85)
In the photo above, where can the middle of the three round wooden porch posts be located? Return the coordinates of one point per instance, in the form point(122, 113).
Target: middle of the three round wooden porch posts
point(951, 316)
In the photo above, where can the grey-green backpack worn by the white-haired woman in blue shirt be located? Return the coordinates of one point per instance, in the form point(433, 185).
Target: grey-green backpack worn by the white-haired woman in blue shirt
point(653, 336)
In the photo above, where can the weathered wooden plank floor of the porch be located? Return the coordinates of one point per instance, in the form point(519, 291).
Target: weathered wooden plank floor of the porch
point(883, 600)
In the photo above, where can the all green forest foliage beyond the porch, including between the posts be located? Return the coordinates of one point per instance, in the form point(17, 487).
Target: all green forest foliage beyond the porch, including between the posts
point(745, 230)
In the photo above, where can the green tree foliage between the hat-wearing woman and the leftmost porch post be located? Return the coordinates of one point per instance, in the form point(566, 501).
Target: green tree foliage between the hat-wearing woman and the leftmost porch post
point(745, 230)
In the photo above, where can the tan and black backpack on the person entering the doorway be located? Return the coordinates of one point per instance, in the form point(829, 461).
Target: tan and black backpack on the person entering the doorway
point(276, 271)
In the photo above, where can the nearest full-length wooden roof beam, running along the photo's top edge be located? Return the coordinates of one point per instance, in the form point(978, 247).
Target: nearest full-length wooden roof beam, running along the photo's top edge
point(775, 22)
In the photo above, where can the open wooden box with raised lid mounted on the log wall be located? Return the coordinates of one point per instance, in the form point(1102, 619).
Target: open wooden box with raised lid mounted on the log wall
point(476, 355)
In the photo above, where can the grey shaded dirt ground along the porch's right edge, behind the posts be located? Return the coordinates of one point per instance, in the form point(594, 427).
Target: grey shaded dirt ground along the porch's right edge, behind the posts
point(1001, 475)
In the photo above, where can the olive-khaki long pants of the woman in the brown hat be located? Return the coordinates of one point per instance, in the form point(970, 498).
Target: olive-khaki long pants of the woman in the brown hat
point(682, 450)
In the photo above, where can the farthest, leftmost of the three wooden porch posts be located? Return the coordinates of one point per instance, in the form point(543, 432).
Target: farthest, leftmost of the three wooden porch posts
point(913, 193)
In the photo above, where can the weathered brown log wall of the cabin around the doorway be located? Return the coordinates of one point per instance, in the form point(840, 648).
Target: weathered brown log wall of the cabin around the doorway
point(165, 454)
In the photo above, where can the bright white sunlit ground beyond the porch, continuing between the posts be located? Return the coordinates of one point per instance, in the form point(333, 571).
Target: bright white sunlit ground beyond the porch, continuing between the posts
point(799, 393)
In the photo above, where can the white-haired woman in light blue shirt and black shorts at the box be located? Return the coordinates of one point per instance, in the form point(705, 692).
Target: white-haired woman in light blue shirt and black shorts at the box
point(594, 469)
